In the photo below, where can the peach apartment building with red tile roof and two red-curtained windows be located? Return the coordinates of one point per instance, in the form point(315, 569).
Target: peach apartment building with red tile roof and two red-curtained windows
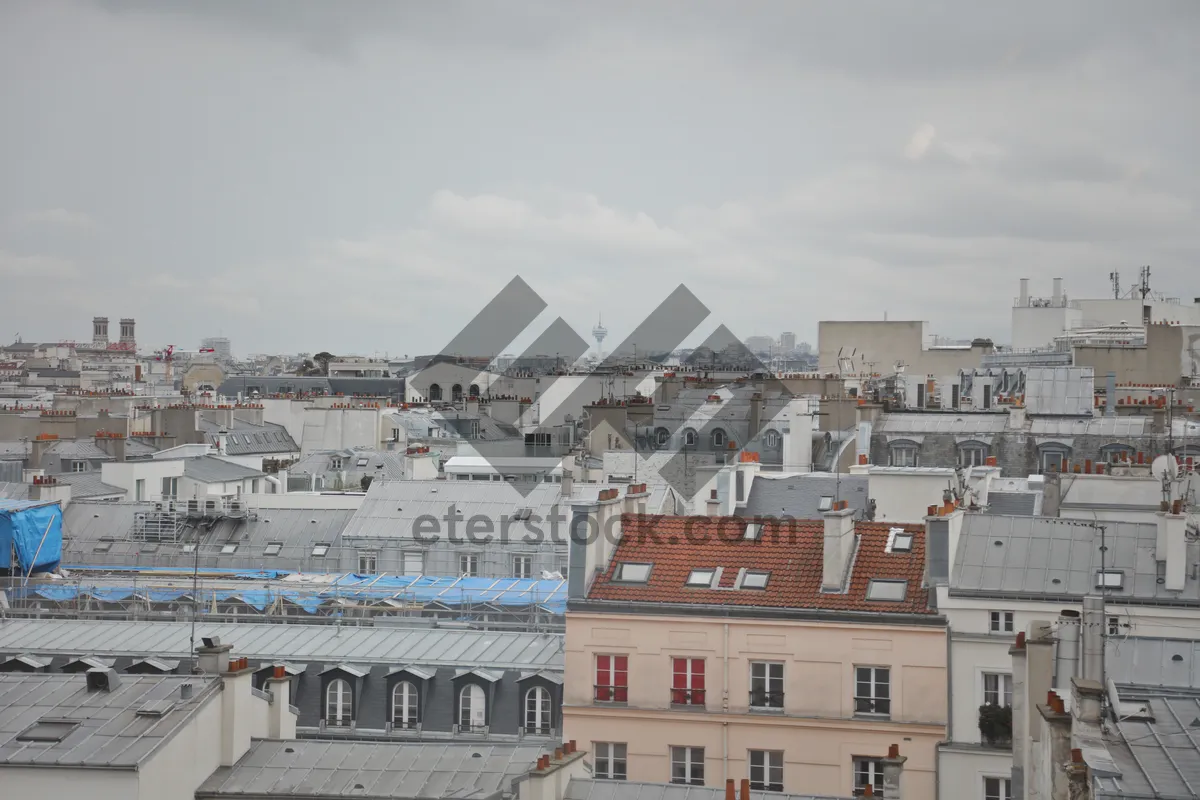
point(793, 653)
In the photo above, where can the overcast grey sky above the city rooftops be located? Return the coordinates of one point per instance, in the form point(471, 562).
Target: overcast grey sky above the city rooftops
point(364, 177)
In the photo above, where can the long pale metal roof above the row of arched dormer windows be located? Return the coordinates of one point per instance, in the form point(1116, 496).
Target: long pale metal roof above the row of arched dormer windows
point(303, 643)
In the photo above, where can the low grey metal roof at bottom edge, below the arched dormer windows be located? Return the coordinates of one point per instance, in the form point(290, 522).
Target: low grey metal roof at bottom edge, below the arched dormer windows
point(343, 769)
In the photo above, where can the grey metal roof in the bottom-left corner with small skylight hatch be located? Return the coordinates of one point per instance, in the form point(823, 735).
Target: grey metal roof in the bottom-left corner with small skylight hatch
point(111, 733)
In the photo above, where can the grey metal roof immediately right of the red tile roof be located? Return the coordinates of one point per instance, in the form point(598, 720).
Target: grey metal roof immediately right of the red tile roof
point(1049, 557)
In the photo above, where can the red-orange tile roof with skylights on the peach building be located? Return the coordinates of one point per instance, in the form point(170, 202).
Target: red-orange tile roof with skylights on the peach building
point(790, 550)
